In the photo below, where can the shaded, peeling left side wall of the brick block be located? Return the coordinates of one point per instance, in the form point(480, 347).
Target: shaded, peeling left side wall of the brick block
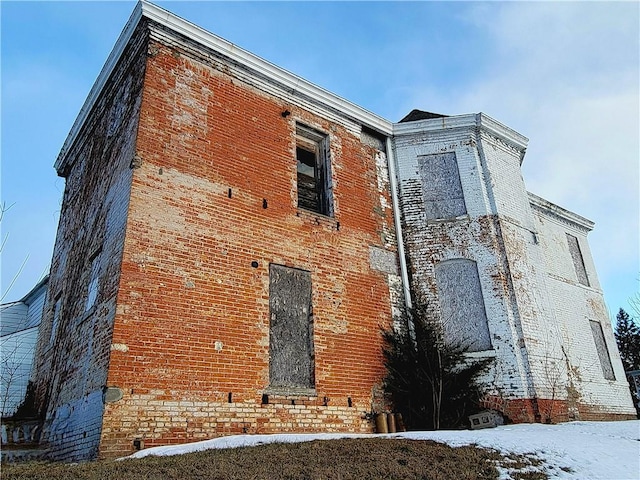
point(72, 358)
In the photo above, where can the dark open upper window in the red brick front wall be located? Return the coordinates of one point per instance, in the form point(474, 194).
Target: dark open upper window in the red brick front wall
point(315, 191)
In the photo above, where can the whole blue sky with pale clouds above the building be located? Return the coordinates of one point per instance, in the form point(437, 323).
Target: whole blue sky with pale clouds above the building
point(566, 75)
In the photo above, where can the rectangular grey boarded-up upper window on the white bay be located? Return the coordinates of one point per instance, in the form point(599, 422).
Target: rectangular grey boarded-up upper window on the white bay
point(441, 187)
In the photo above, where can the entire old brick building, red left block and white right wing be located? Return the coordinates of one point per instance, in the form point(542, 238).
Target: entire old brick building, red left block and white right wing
point(232, 237)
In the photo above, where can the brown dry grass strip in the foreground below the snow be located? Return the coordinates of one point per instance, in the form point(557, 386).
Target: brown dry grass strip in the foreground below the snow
point(334, 459)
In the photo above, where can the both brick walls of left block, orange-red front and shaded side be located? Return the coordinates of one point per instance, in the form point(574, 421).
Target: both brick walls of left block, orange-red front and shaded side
point(187, 195)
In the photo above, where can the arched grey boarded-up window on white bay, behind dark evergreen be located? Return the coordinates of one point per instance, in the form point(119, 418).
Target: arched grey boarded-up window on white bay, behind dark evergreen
point(462, 306)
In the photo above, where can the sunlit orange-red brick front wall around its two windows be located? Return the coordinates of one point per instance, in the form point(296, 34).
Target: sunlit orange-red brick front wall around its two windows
point(212, 151)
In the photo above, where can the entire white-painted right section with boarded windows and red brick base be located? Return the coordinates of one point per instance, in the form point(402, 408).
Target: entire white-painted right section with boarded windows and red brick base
point(536, 303)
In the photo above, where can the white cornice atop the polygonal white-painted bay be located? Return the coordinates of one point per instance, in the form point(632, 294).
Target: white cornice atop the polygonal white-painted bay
point(464, 122)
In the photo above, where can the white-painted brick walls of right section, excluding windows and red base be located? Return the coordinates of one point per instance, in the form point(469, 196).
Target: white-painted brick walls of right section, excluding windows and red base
point(538, 314)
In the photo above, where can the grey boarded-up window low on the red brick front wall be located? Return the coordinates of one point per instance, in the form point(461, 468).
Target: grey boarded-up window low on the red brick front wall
point(291, 354)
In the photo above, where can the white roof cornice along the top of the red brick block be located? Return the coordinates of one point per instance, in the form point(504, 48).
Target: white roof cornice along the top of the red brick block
point(294, 83)
